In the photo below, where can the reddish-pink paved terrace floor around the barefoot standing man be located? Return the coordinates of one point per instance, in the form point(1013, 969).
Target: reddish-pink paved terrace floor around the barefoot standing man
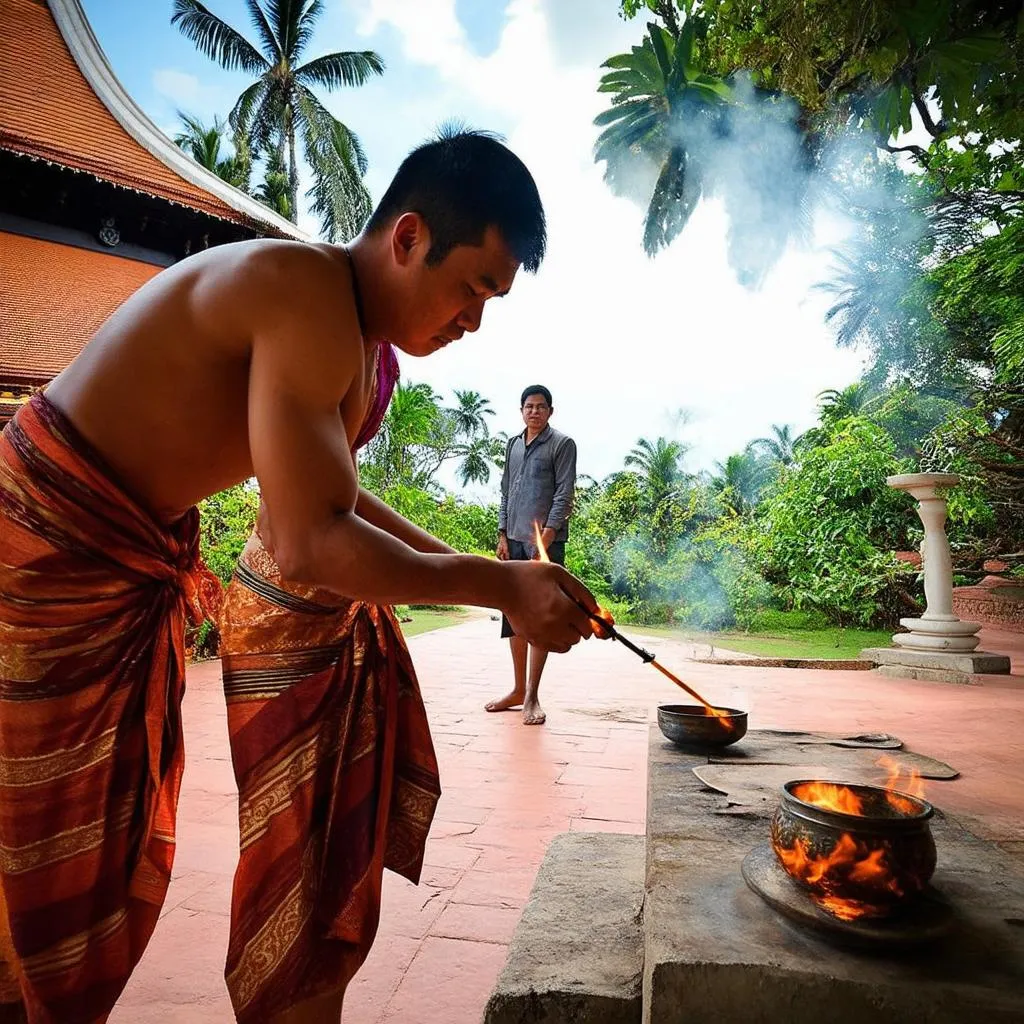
point(509, 789)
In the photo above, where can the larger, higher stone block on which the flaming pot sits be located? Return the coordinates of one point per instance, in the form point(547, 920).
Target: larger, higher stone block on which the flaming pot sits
point(716, 954)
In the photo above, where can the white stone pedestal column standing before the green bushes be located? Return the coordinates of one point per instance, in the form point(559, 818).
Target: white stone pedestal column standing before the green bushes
point(938, 629)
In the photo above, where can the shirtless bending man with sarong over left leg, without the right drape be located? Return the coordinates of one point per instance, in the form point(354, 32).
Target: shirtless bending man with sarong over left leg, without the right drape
point(253, 359)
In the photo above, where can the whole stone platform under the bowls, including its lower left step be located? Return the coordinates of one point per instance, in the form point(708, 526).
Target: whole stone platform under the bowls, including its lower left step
point(713, 952)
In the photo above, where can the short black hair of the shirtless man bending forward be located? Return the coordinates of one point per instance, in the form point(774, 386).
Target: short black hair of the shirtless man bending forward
point(462, 183)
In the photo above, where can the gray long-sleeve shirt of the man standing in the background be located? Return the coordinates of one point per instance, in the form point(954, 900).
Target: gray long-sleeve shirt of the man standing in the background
point(538, 486)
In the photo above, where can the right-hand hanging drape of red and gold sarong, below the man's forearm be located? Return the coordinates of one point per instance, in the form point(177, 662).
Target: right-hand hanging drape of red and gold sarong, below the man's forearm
point(337, 781)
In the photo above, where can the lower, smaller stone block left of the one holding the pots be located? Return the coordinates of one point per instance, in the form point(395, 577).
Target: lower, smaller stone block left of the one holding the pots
point(577, 957)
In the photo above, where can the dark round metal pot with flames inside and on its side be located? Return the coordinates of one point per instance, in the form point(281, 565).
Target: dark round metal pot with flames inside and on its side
point(861, 851)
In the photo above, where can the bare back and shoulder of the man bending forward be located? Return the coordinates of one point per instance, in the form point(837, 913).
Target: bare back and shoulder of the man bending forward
point(190, 332)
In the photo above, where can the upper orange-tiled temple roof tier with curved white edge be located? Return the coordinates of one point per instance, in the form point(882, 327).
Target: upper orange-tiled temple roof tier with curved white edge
point(61, 102)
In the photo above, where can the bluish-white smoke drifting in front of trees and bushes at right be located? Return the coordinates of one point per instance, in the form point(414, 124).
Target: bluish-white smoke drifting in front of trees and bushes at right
point(778, 184)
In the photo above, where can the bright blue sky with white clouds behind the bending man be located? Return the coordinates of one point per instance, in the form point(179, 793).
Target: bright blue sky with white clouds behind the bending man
point(686, 351)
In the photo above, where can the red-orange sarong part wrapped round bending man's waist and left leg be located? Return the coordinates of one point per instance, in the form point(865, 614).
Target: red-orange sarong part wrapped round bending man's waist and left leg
point(94, 600)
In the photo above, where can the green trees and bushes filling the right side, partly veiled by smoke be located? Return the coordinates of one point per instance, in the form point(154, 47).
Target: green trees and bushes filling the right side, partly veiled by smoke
point(930, 286)
